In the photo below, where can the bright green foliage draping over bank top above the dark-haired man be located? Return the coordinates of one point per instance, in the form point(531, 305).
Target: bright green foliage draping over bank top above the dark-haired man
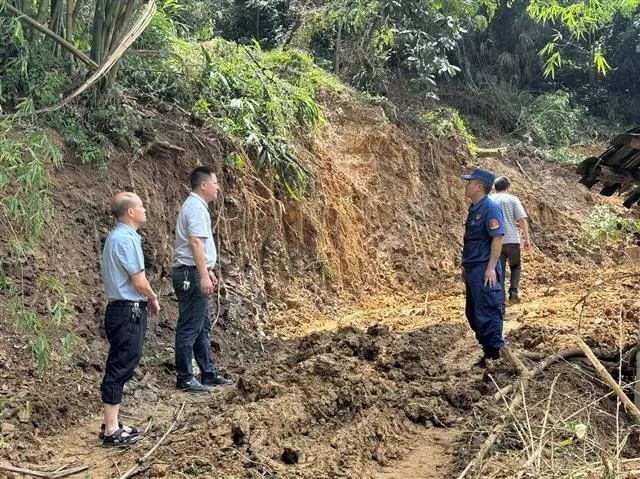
point(258, 99)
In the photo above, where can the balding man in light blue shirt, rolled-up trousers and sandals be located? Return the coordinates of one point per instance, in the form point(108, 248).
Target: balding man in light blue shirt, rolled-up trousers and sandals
point(129, 297)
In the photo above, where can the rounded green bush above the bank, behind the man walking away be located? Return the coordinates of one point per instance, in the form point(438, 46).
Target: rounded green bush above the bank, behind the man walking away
point(551, 120)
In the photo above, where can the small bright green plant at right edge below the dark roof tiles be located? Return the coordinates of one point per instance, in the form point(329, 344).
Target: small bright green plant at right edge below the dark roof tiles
point(604, 226)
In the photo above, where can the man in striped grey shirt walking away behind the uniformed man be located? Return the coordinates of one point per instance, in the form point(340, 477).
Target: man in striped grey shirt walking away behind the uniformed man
point(514, 218)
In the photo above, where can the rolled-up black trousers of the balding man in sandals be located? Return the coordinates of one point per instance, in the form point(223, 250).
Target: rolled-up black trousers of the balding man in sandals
point(125, 326)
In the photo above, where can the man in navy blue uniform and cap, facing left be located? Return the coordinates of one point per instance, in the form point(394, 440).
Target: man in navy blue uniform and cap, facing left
point(481, 269)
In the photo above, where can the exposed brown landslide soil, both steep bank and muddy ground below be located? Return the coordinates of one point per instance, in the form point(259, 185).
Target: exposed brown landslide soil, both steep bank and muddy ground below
point(341, 317)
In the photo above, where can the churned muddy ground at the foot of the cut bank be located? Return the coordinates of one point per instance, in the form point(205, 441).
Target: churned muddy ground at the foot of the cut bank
point(384, 392)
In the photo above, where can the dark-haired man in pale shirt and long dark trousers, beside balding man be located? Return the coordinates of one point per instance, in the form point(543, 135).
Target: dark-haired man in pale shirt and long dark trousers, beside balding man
point(193, 281)
